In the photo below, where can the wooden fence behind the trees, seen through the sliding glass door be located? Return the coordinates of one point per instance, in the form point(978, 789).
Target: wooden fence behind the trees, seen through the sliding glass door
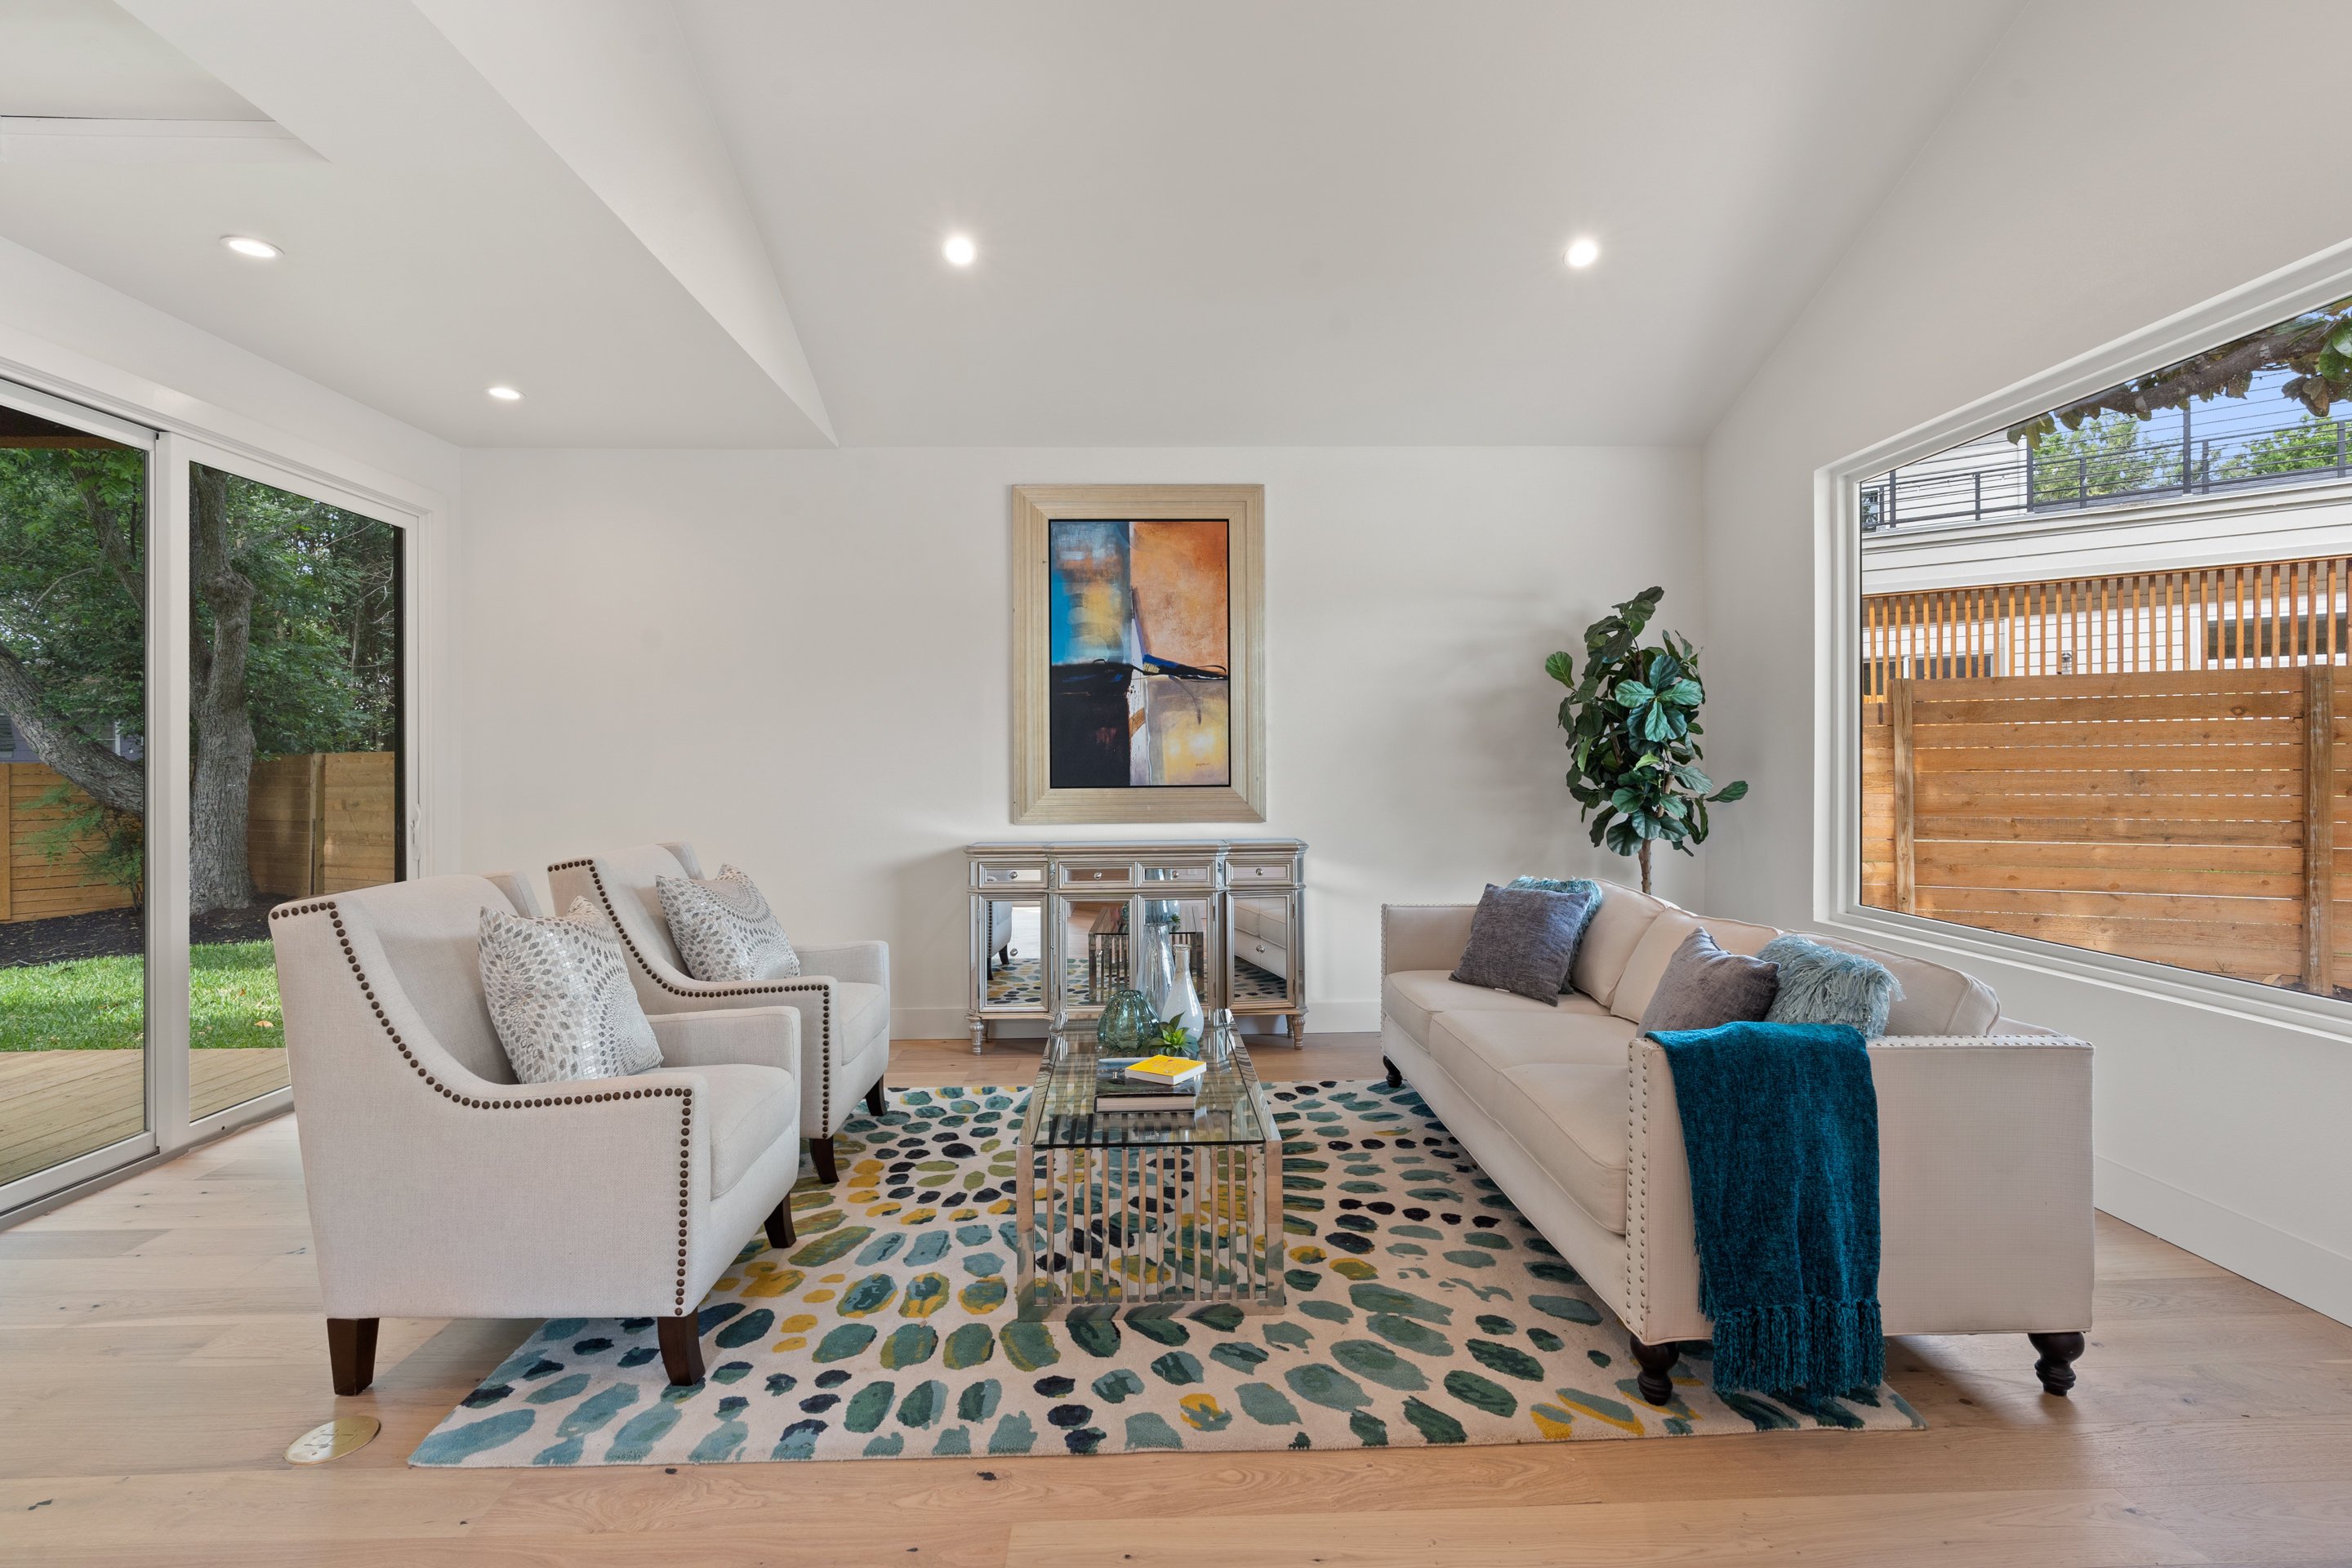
point(316, 824)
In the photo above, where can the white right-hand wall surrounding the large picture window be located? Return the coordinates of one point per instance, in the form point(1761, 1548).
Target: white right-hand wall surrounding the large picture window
point(2092, 215)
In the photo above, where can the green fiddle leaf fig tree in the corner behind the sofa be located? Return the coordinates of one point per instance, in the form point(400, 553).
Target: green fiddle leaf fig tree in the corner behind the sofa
point(1633, 735)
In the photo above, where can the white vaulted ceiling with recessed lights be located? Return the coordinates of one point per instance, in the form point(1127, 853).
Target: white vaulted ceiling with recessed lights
point(1229, 222)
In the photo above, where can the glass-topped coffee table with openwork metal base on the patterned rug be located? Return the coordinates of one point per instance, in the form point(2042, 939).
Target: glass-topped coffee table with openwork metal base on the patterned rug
point(1151, 1212)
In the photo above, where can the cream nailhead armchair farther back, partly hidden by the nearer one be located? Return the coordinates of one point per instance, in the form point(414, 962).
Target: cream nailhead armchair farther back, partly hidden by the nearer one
point(843, 991)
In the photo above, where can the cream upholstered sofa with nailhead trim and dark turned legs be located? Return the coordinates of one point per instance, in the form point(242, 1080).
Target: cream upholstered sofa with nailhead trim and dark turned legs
point(1984, 1132)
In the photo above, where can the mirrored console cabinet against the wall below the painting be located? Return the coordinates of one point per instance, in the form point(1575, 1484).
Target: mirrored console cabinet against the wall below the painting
point(1053, 927)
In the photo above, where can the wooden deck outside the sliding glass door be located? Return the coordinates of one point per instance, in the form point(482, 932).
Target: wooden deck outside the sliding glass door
point(65, 1104)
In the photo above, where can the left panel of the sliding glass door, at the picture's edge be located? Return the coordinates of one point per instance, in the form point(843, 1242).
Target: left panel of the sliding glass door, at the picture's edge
point(74, 793)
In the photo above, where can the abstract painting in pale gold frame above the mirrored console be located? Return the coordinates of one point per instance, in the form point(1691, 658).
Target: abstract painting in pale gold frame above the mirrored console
point(1140, 643)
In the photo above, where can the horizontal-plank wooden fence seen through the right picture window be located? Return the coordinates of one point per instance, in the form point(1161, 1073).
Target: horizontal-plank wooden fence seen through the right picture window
point(2181, 817)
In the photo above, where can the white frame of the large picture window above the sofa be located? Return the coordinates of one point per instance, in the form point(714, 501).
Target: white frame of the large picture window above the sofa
point(1838, 650)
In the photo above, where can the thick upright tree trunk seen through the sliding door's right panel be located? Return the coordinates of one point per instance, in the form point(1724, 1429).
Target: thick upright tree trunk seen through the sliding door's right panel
point(220, 873)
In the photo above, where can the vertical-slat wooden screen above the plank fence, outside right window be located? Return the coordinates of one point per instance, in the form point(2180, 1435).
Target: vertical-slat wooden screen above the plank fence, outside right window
point(2259, 615)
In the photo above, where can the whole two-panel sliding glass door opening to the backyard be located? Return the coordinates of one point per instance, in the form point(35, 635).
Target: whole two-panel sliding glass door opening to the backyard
point(203, 713)
